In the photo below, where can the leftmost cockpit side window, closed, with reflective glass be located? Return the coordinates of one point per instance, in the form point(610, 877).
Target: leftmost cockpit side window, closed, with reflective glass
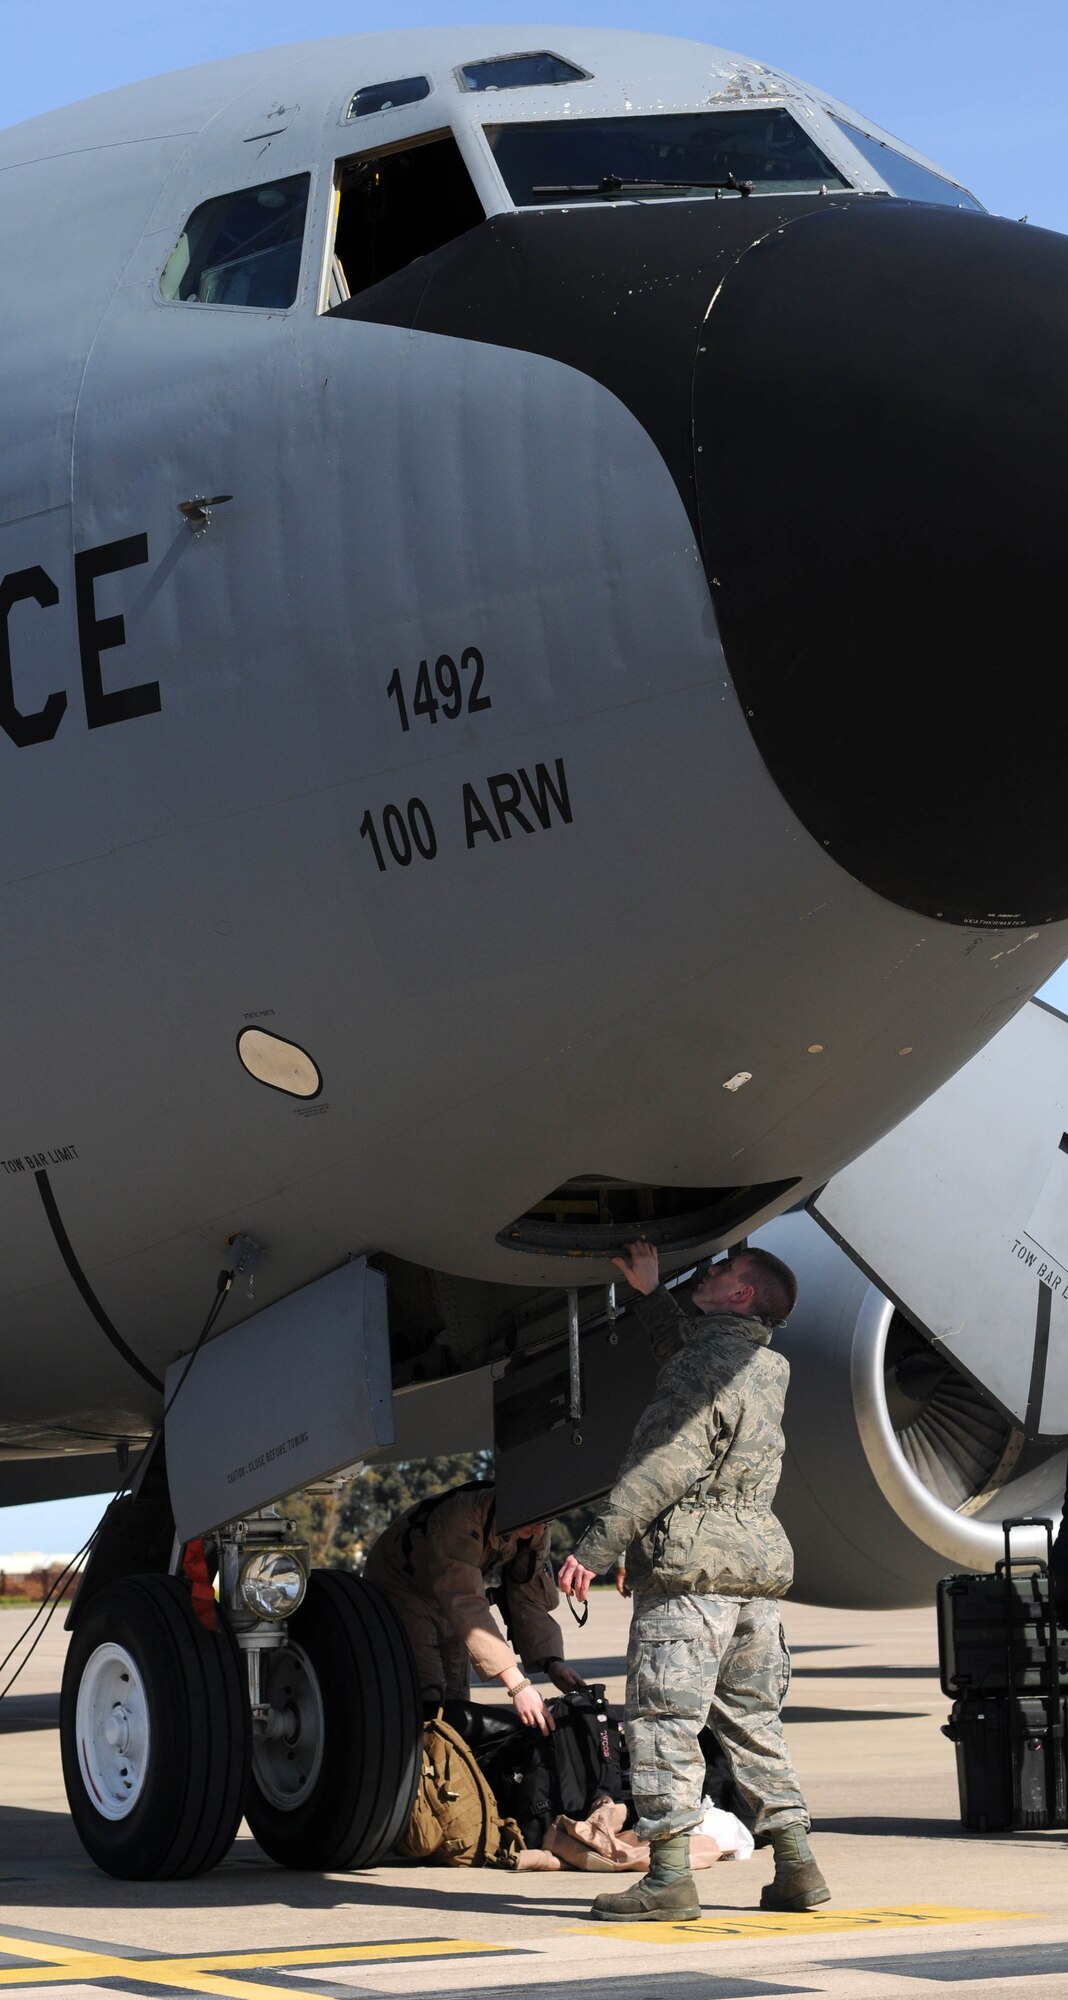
point(241, 249)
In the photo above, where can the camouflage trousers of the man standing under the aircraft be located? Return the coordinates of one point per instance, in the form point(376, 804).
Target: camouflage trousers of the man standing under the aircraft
point(717, 1663)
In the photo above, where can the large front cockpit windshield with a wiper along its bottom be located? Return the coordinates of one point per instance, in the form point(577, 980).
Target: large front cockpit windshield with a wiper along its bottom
point(695, 153)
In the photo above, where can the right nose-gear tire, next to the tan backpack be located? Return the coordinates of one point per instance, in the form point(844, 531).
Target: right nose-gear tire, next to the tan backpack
point(341, 1789)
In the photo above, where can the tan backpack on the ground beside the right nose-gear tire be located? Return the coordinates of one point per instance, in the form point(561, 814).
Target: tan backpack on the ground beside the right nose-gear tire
point(455, 1819)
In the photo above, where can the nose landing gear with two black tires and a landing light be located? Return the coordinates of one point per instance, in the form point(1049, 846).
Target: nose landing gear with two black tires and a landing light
point(169, 1735)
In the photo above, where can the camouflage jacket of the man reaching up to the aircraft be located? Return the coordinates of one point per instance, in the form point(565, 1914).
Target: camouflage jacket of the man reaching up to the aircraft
point(693, 1499)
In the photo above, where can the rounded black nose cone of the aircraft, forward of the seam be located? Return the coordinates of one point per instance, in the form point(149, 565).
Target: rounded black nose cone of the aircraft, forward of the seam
point(881, 427)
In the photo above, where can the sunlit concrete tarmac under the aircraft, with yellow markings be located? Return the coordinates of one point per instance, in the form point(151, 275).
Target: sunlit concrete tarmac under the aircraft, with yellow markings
point(919, 1909)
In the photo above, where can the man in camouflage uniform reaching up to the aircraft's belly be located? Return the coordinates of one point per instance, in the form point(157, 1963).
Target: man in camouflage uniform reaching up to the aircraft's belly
point(707, 1563)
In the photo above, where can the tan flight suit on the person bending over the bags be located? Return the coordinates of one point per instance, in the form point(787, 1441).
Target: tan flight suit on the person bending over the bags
point(433, 1565)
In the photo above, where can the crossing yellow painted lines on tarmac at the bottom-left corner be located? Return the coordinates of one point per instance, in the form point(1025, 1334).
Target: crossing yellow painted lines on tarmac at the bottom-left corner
point(213, 1973)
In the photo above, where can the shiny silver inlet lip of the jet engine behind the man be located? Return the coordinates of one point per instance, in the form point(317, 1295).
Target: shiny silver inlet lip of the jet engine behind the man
point(969, 1545)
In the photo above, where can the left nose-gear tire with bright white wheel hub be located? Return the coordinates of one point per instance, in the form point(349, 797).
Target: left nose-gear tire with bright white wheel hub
point(155, 1733)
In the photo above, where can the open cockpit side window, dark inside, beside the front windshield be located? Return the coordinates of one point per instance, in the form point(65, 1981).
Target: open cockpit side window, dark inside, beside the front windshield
point(395, 207)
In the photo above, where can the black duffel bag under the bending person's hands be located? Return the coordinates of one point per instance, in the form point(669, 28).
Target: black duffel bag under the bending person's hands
point(537, 1777)
